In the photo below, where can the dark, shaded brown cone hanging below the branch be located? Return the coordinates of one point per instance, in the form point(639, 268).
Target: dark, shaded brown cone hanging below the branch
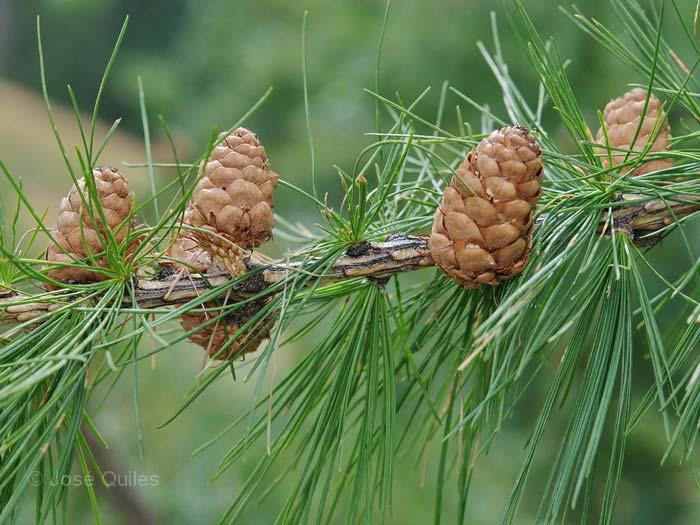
point(216, 334)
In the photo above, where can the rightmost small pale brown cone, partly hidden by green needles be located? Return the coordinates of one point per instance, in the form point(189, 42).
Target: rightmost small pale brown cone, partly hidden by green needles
point(622, 116)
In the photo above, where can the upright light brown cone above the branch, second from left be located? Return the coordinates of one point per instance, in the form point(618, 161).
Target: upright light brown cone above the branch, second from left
point(233, 200)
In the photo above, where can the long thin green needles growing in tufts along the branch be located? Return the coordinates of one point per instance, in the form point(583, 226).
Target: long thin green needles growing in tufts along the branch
point(413, 366)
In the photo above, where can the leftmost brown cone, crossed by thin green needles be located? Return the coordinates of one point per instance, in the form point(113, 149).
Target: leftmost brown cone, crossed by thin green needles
point(78, 235)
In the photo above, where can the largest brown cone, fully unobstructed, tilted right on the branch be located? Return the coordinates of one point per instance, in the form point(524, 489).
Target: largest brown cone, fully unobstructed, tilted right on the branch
point(481, 231)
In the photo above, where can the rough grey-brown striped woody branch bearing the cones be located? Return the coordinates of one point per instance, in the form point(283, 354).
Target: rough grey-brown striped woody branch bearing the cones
point(643, 220)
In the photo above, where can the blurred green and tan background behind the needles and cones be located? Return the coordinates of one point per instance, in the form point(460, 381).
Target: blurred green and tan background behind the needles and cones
point(203, 64)
